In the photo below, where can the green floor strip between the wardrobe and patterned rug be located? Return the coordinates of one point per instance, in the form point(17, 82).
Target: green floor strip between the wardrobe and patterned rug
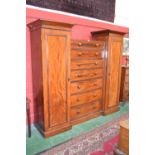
point(36, 143)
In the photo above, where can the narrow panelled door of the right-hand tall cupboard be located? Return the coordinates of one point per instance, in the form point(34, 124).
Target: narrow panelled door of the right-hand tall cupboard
point(113, 74)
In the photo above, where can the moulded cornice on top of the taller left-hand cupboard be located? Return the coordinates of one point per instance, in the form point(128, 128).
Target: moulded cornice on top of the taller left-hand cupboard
point(48, 24)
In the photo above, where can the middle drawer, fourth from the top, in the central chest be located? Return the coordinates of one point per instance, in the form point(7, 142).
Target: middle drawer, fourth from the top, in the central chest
point(86, 74)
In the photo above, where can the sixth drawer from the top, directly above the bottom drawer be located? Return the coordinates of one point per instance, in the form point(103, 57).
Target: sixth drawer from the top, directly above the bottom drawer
point(86, 97)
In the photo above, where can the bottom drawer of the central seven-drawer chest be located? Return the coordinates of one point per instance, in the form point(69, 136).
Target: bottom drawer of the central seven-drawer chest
point(85, 109)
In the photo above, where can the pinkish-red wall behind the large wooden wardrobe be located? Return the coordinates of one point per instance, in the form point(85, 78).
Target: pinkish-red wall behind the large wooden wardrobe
point(81, 30)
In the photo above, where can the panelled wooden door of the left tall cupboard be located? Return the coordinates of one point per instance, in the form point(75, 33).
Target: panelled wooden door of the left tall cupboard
point(56, 55)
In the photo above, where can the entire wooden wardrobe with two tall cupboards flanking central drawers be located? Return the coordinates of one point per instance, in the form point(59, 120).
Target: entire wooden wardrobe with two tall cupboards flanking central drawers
point(73, 80)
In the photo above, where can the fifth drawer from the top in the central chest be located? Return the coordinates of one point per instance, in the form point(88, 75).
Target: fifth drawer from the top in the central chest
point(80, 86)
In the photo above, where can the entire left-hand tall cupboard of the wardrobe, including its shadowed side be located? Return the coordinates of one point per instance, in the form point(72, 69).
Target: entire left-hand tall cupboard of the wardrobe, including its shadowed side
point(50, 48)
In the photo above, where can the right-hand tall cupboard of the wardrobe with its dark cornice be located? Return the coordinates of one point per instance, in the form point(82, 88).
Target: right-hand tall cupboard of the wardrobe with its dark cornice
point(113, 55)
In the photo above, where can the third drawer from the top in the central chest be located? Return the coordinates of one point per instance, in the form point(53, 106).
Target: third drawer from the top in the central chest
point(86, 64)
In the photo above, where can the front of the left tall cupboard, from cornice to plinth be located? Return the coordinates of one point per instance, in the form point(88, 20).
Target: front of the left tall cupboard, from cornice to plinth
point(55, 49)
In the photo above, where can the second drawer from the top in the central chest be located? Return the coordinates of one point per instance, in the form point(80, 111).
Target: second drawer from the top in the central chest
point(86, 54)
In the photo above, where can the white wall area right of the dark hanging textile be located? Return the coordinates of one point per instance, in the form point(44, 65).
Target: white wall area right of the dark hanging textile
point(122, 12)
